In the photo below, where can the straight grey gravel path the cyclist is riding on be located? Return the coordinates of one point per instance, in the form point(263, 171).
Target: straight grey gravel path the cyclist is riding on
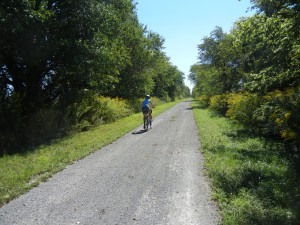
point(154, 177)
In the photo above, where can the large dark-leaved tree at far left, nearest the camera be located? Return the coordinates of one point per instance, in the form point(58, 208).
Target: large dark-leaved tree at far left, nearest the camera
point(52, 52)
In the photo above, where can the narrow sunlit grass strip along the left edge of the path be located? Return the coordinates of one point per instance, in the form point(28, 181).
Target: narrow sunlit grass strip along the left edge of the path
point(21, 172)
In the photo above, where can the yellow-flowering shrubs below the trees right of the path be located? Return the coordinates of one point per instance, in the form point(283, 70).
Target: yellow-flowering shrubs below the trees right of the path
point(275, 114)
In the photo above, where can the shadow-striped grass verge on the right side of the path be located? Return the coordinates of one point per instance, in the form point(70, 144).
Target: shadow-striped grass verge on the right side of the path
point(253, 179)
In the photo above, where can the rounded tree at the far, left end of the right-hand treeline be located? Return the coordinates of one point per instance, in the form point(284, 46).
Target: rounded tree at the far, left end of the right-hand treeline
point(218, 72)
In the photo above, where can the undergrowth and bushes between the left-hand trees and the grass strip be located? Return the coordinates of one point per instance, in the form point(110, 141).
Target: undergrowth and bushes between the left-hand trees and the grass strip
point(58, 121)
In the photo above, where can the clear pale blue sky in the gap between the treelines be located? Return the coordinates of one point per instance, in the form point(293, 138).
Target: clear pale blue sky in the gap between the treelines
point(184, 23)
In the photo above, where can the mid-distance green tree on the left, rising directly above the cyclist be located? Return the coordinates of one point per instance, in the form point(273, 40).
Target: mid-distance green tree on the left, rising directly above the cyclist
point(144, 48)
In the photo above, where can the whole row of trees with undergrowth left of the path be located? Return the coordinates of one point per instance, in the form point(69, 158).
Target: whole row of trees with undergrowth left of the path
point(58, 57)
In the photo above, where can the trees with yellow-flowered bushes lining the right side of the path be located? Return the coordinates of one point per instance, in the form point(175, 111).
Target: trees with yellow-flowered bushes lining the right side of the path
point(252, 74)
